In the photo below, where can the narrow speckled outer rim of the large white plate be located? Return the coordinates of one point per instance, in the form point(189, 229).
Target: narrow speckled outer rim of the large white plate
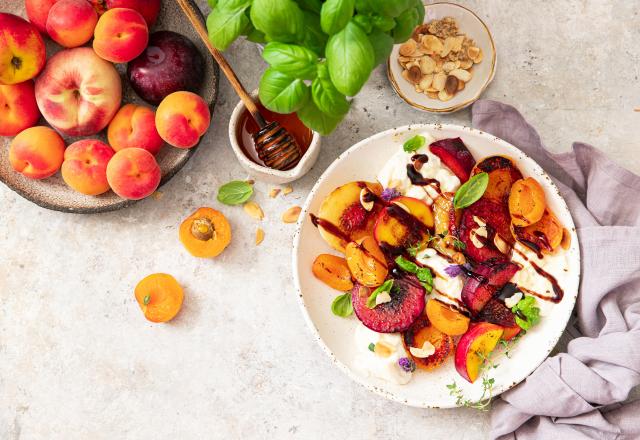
point(363, 144)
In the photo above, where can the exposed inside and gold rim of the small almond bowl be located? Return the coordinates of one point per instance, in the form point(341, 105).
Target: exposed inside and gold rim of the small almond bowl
point(473, 27)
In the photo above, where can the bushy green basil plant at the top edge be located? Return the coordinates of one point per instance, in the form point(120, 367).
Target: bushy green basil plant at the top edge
point(320, 52)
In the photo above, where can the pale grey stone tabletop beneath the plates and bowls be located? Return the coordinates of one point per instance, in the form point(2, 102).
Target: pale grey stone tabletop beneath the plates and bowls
point(78, 360)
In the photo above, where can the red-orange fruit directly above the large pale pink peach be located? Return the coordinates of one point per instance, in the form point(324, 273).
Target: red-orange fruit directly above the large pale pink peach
point(71, 22)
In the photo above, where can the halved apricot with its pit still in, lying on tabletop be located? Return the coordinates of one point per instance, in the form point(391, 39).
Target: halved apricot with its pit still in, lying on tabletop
point(205, 233)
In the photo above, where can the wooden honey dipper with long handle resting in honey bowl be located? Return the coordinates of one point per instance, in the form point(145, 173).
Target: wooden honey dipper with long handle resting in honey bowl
point(274, 144)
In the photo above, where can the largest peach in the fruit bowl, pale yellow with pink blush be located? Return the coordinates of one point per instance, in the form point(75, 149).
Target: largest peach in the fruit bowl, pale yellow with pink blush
point(78, 93)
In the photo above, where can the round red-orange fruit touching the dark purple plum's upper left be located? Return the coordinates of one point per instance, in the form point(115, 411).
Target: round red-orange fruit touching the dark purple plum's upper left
point(120, 35)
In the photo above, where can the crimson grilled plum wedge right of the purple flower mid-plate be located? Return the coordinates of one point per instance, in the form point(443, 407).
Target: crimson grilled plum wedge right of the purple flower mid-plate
point(487, 279)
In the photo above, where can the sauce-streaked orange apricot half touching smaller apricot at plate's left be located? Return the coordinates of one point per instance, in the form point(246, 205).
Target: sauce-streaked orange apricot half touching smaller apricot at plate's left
point(366, 262)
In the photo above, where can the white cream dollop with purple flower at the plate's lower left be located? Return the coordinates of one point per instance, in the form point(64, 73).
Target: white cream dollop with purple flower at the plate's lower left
point(372, 364)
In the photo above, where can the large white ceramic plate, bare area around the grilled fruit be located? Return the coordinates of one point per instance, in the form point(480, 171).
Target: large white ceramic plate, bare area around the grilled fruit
point(335, 335)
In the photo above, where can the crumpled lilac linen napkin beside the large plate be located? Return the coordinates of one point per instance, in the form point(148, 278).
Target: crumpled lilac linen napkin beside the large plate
point(580, 394)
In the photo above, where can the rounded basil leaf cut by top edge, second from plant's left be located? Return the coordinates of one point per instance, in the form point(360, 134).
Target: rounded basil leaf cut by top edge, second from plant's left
point(281, 20)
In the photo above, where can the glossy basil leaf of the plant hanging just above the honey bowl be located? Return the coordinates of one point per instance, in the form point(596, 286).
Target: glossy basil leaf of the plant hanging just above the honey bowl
point(281, 93)
